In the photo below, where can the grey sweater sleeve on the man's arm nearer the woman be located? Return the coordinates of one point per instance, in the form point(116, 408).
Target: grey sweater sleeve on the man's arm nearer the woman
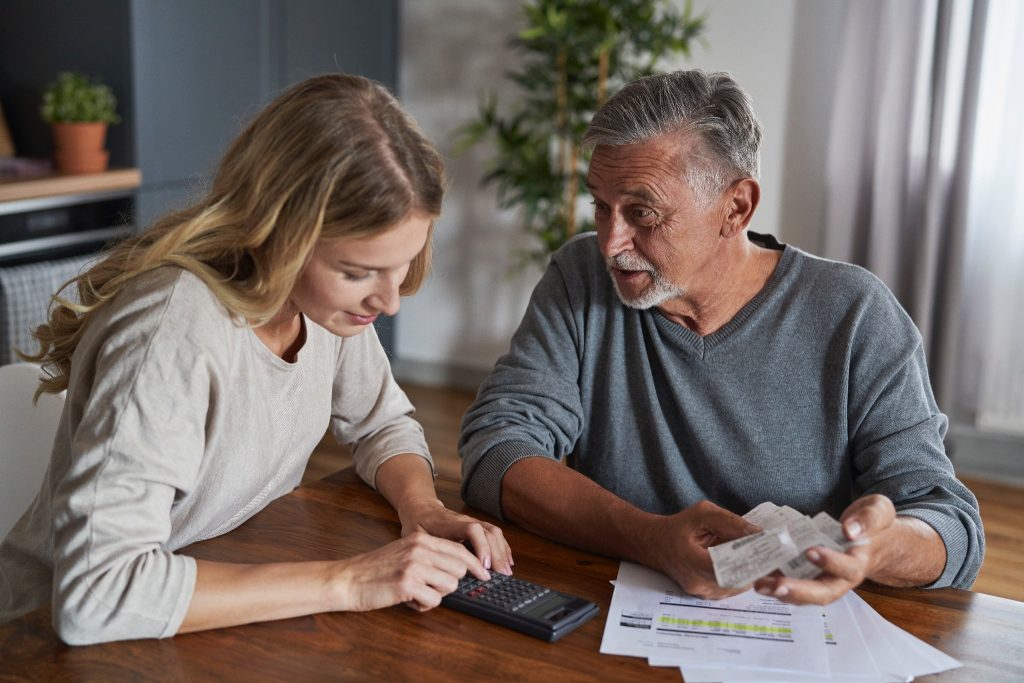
point(530, 405)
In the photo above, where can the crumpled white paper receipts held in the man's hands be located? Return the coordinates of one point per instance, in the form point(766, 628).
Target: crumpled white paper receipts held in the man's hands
point(783, 545)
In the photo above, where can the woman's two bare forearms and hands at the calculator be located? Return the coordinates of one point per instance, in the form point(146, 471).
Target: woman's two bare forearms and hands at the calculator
point(417, 571)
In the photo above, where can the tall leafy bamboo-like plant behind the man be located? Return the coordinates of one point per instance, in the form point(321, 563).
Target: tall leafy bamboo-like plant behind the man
point(576, 55)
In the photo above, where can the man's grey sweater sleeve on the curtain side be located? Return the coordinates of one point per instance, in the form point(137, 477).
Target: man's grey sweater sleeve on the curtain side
point(898, 442)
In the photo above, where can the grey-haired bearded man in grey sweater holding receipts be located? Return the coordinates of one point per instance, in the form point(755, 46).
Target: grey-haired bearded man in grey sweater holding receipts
point(690, 370)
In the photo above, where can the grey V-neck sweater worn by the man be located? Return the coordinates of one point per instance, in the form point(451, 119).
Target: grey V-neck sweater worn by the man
point(816, 394)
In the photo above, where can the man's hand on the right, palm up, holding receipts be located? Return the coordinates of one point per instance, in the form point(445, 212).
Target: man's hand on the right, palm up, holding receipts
point(871, 521)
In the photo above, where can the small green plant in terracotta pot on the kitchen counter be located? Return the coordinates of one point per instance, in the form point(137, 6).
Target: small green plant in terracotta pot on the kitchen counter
point(79, 109)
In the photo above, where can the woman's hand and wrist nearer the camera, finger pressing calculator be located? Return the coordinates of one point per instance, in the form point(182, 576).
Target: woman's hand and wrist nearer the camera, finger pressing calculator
point(418, 570)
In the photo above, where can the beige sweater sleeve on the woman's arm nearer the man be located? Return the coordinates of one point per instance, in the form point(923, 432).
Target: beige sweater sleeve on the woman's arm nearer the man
point(369, 409)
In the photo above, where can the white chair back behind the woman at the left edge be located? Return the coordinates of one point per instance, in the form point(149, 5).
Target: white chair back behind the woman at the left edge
point(26, 440)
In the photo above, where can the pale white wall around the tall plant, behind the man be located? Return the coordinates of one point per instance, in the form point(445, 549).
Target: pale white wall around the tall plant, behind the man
point(455, 51)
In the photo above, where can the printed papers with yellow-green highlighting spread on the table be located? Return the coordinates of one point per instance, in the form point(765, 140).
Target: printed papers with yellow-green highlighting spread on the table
point(751, 637)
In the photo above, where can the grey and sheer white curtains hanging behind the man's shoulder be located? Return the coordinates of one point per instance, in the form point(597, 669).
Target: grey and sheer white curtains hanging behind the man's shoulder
point(925, 185)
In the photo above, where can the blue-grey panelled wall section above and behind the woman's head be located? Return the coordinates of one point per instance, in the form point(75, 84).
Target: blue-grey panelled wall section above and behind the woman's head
point(201, 69)
